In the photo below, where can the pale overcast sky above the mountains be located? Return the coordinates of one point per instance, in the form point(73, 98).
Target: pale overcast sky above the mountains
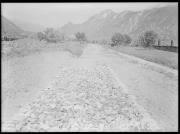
point(58, 14)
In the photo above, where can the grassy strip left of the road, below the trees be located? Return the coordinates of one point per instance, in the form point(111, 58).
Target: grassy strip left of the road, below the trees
point(28, 46)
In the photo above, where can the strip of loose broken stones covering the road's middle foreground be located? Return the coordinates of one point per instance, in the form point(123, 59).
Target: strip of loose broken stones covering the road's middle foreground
point(83, 99)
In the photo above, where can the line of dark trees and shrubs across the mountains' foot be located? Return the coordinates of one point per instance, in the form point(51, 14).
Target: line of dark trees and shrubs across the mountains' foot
point(145, 39)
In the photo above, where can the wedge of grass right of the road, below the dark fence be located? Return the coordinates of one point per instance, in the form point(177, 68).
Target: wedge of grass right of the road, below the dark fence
point(165, 58)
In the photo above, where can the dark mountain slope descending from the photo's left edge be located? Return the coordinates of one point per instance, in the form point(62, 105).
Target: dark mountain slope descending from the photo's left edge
point(9, 28)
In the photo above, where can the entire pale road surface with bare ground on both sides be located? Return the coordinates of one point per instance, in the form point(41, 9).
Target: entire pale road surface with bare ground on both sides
point(101, 90)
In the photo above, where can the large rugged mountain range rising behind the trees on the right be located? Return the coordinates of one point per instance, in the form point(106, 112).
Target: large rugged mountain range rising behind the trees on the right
point(163, 20)
